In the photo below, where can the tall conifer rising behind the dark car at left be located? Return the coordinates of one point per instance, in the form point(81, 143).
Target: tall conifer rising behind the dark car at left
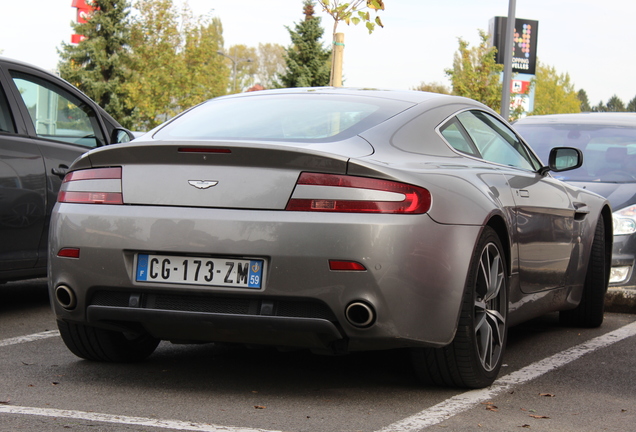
point(99, 65)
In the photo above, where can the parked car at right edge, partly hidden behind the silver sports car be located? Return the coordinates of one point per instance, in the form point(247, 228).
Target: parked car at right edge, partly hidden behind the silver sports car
point(608, 142)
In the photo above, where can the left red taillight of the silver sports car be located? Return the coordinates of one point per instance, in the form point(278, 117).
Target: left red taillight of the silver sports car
point(92, 186)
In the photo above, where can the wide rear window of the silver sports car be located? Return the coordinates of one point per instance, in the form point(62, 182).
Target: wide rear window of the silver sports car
point(282, 117)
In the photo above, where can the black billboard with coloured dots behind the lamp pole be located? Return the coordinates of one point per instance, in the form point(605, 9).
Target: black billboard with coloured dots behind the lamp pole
point(524, 54)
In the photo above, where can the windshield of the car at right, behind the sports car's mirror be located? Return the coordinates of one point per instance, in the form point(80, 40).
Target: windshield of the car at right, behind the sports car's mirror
point(609, 152)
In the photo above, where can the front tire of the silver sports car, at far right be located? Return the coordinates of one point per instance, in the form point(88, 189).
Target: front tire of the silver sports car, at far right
point(590, 311)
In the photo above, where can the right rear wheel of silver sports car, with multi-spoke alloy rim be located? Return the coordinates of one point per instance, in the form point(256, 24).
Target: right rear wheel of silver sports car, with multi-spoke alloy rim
point(475, 356)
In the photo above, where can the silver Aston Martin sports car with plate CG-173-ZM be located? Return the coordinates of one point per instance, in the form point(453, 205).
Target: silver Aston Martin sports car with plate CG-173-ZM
point(337, 220)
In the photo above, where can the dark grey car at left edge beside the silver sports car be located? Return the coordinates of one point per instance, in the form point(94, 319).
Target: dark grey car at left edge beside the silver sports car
point(45, 124)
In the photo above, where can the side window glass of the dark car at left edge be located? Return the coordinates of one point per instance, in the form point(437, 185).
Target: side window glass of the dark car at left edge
point(57, 114)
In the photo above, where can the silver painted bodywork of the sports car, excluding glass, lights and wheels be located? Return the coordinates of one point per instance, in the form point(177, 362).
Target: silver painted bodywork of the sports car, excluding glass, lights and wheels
point(415, 265)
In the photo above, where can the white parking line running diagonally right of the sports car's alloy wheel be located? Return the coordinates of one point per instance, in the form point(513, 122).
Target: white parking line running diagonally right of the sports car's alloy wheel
point(465, 401)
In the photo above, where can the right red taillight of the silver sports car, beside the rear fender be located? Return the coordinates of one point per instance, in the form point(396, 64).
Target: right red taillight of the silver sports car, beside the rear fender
point(349, 194)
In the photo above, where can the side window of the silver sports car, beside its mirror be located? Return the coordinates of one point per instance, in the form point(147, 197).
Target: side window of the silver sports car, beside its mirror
point(495, 142)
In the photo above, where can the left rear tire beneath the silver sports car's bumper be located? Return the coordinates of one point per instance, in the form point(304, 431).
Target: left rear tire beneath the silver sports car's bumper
point(92, 343)
